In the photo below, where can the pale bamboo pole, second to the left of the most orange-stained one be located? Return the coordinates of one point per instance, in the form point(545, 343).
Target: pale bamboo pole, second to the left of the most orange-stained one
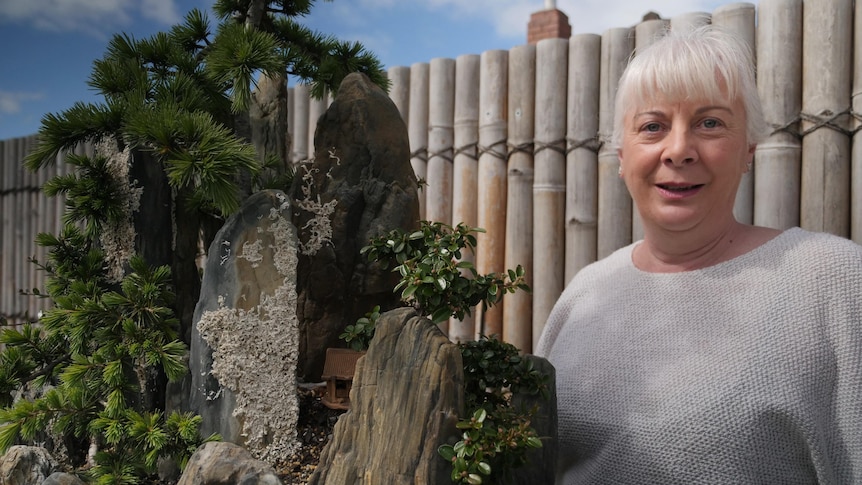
point(441, 116)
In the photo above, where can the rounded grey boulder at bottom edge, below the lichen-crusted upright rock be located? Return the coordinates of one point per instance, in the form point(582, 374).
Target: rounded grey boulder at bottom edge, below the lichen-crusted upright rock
point(222, 463)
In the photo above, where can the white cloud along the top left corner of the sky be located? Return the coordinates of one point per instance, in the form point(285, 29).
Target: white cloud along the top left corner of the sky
point(92, 17)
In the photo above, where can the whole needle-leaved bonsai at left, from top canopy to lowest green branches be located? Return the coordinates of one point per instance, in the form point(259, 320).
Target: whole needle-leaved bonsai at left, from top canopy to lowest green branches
point(173, 155)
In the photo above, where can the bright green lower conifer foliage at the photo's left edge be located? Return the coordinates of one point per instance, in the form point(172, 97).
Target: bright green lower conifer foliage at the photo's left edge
point(83, 370)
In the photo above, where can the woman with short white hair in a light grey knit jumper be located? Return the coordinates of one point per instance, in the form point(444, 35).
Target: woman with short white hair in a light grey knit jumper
point(712, 351)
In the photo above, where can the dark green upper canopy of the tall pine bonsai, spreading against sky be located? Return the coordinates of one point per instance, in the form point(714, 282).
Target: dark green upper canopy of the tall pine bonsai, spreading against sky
point(180, 103)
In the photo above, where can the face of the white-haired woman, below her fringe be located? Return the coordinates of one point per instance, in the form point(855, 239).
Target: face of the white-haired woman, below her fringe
point(682, 162)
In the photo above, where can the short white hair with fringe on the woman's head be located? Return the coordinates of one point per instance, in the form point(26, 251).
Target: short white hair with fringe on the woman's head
point(706, 63)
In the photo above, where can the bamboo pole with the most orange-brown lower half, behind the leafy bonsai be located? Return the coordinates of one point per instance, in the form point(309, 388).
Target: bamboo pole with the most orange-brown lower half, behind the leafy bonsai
point(491, 211)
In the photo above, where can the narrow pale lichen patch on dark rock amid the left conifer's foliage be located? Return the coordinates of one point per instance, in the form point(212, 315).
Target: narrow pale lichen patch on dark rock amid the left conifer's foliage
point(117, 237)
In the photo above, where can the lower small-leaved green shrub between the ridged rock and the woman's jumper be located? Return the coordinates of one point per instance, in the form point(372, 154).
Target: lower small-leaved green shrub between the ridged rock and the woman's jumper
point(497, 436)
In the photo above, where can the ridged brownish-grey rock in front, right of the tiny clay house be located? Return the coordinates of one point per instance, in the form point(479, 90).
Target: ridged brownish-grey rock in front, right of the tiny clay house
point(407, 394)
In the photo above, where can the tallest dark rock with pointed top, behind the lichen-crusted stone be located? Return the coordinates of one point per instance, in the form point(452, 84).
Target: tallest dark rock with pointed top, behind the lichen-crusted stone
point(362, 161)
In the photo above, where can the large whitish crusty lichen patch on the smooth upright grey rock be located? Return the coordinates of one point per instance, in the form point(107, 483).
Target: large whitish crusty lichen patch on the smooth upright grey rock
point(255, 350)
